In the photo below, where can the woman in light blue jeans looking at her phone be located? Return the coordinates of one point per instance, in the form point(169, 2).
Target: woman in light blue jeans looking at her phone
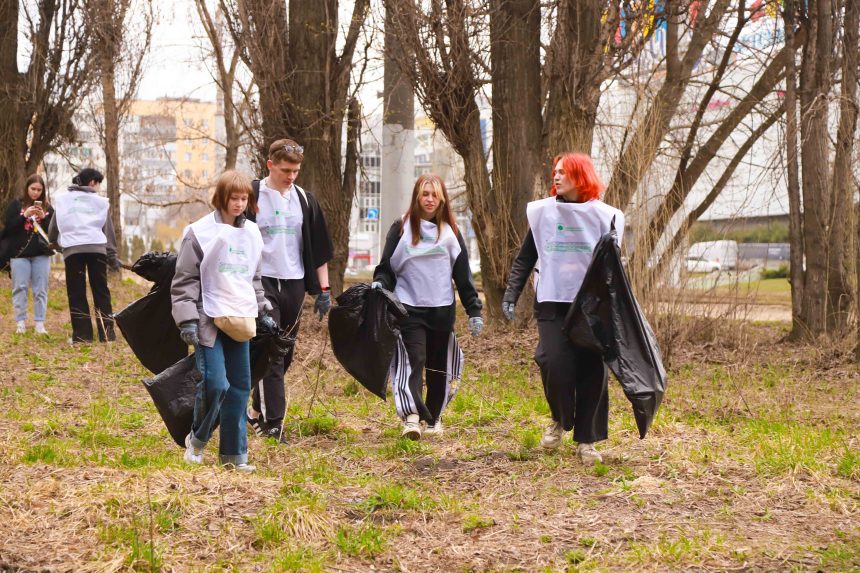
point(25, 246)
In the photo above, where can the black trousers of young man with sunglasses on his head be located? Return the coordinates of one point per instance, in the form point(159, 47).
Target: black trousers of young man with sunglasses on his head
point(267, 394)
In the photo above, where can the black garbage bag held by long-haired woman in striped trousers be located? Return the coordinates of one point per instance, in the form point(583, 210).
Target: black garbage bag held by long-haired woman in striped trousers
point(364, 327)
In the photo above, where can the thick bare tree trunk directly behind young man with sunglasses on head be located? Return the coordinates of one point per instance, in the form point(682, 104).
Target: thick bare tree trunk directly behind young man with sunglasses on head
point(304, 90)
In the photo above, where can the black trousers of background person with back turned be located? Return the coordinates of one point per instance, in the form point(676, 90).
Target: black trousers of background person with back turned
point(78, 267)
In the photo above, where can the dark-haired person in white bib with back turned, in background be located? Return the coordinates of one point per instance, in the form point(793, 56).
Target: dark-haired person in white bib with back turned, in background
point(83, 229)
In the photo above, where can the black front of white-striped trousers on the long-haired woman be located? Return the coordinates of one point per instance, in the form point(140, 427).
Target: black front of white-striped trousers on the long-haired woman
point(426, 349)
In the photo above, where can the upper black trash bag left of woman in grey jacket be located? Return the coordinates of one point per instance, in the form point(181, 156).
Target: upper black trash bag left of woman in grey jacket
point(147, 323)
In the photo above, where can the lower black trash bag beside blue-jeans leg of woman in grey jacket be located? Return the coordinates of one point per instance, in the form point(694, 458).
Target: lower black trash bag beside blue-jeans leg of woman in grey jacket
point(173, 392)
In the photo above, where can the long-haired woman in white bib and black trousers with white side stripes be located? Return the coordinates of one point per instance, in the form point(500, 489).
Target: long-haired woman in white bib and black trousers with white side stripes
point(423, 252)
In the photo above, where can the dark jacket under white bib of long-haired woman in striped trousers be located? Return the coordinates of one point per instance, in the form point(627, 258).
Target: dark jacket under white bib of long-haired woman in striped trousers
point(434, 318)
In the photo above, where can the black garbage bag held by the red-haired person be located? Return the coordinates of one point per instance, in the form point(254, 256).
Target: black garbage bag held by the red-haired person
point(606, 318)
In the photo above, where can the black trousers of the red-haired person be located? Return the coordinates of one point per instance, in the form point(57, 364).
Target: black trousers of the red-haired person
point(574, 383)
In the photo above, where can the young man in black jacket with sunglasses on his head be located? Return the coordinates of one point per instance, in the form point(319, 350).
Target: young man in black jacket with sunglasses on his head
point(296, 251)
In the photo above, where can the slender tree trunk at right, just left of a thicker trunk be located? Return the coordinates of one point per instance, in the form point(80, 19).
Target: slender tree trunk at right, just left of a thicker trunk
point(795, 217)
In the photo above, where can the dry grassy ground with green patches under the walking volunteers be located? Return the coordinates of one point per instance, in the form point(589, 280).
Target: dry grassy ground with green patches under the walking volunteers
point(753, 463)
